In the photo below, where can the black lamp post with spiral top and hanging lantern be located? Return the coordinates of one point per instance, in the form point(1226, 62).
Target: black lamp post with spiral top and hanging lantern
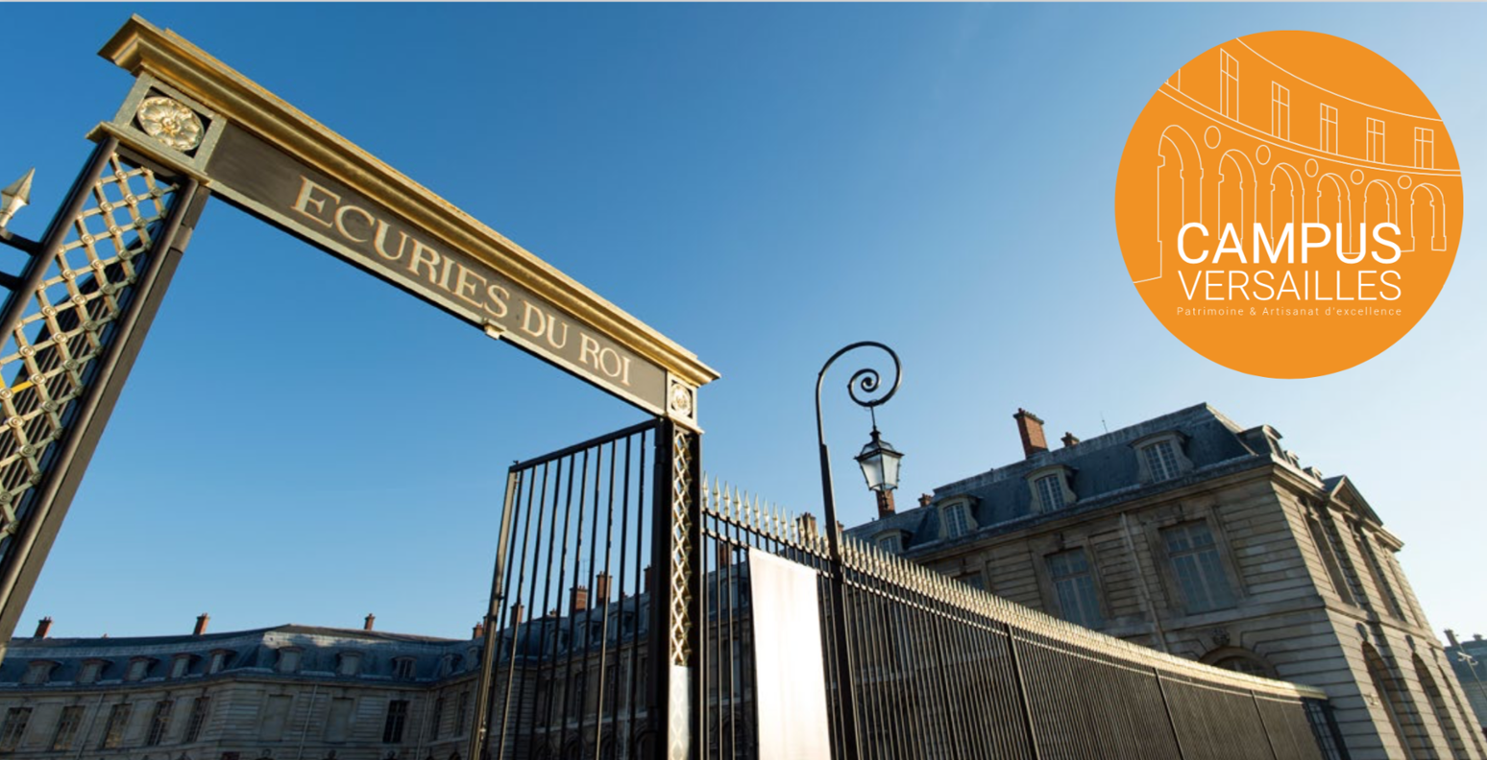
point(880, 463)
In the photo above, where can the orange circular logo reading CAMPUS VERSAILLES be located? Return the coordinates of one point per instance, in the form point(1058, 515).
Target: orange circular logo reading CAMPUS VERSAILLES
point(1288, 205)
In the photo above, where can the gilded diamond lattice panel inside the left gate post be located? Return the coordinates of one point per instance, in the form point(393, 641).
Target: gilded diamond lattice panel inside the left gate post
point(48, 361)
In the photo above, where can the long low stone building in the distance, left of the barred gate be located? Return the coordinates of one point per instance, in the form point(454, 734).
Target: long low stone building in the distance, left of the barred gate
point(283, 694)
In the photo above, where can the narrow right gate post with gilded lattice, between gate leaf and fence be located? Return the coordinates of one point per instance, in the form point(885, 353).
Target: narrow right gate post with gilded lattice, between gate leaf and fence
point(676, 619)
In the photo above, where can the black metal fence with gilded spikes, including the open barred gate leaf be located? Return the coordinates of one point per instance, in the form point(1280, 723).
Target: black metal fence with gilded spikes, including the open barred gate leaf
point(590, 569)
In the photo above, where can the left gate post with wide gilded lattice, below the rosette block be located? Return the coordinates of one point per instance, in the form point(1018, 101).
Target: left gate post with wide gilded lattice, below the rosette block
point(69, 335)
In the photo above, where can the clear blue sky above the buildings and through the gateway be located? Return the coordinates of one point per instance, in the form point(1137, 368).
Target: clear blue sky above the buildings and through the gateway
point(301, 442)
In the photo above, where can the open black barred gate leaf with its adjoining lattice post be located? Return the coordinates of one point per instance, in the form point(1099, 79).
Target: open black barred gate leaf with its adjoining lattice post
point(585, 655)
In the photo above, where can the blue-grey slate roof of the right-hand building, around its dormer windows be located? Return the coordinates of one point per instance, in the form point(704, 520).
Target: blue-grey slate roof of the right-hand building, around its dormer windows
point(1106, 472)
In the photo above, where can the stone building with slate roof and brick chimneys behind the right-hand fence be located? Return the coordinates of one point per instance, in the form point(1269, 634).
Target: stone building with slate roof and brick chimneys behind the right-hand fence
point(1201, 538)
